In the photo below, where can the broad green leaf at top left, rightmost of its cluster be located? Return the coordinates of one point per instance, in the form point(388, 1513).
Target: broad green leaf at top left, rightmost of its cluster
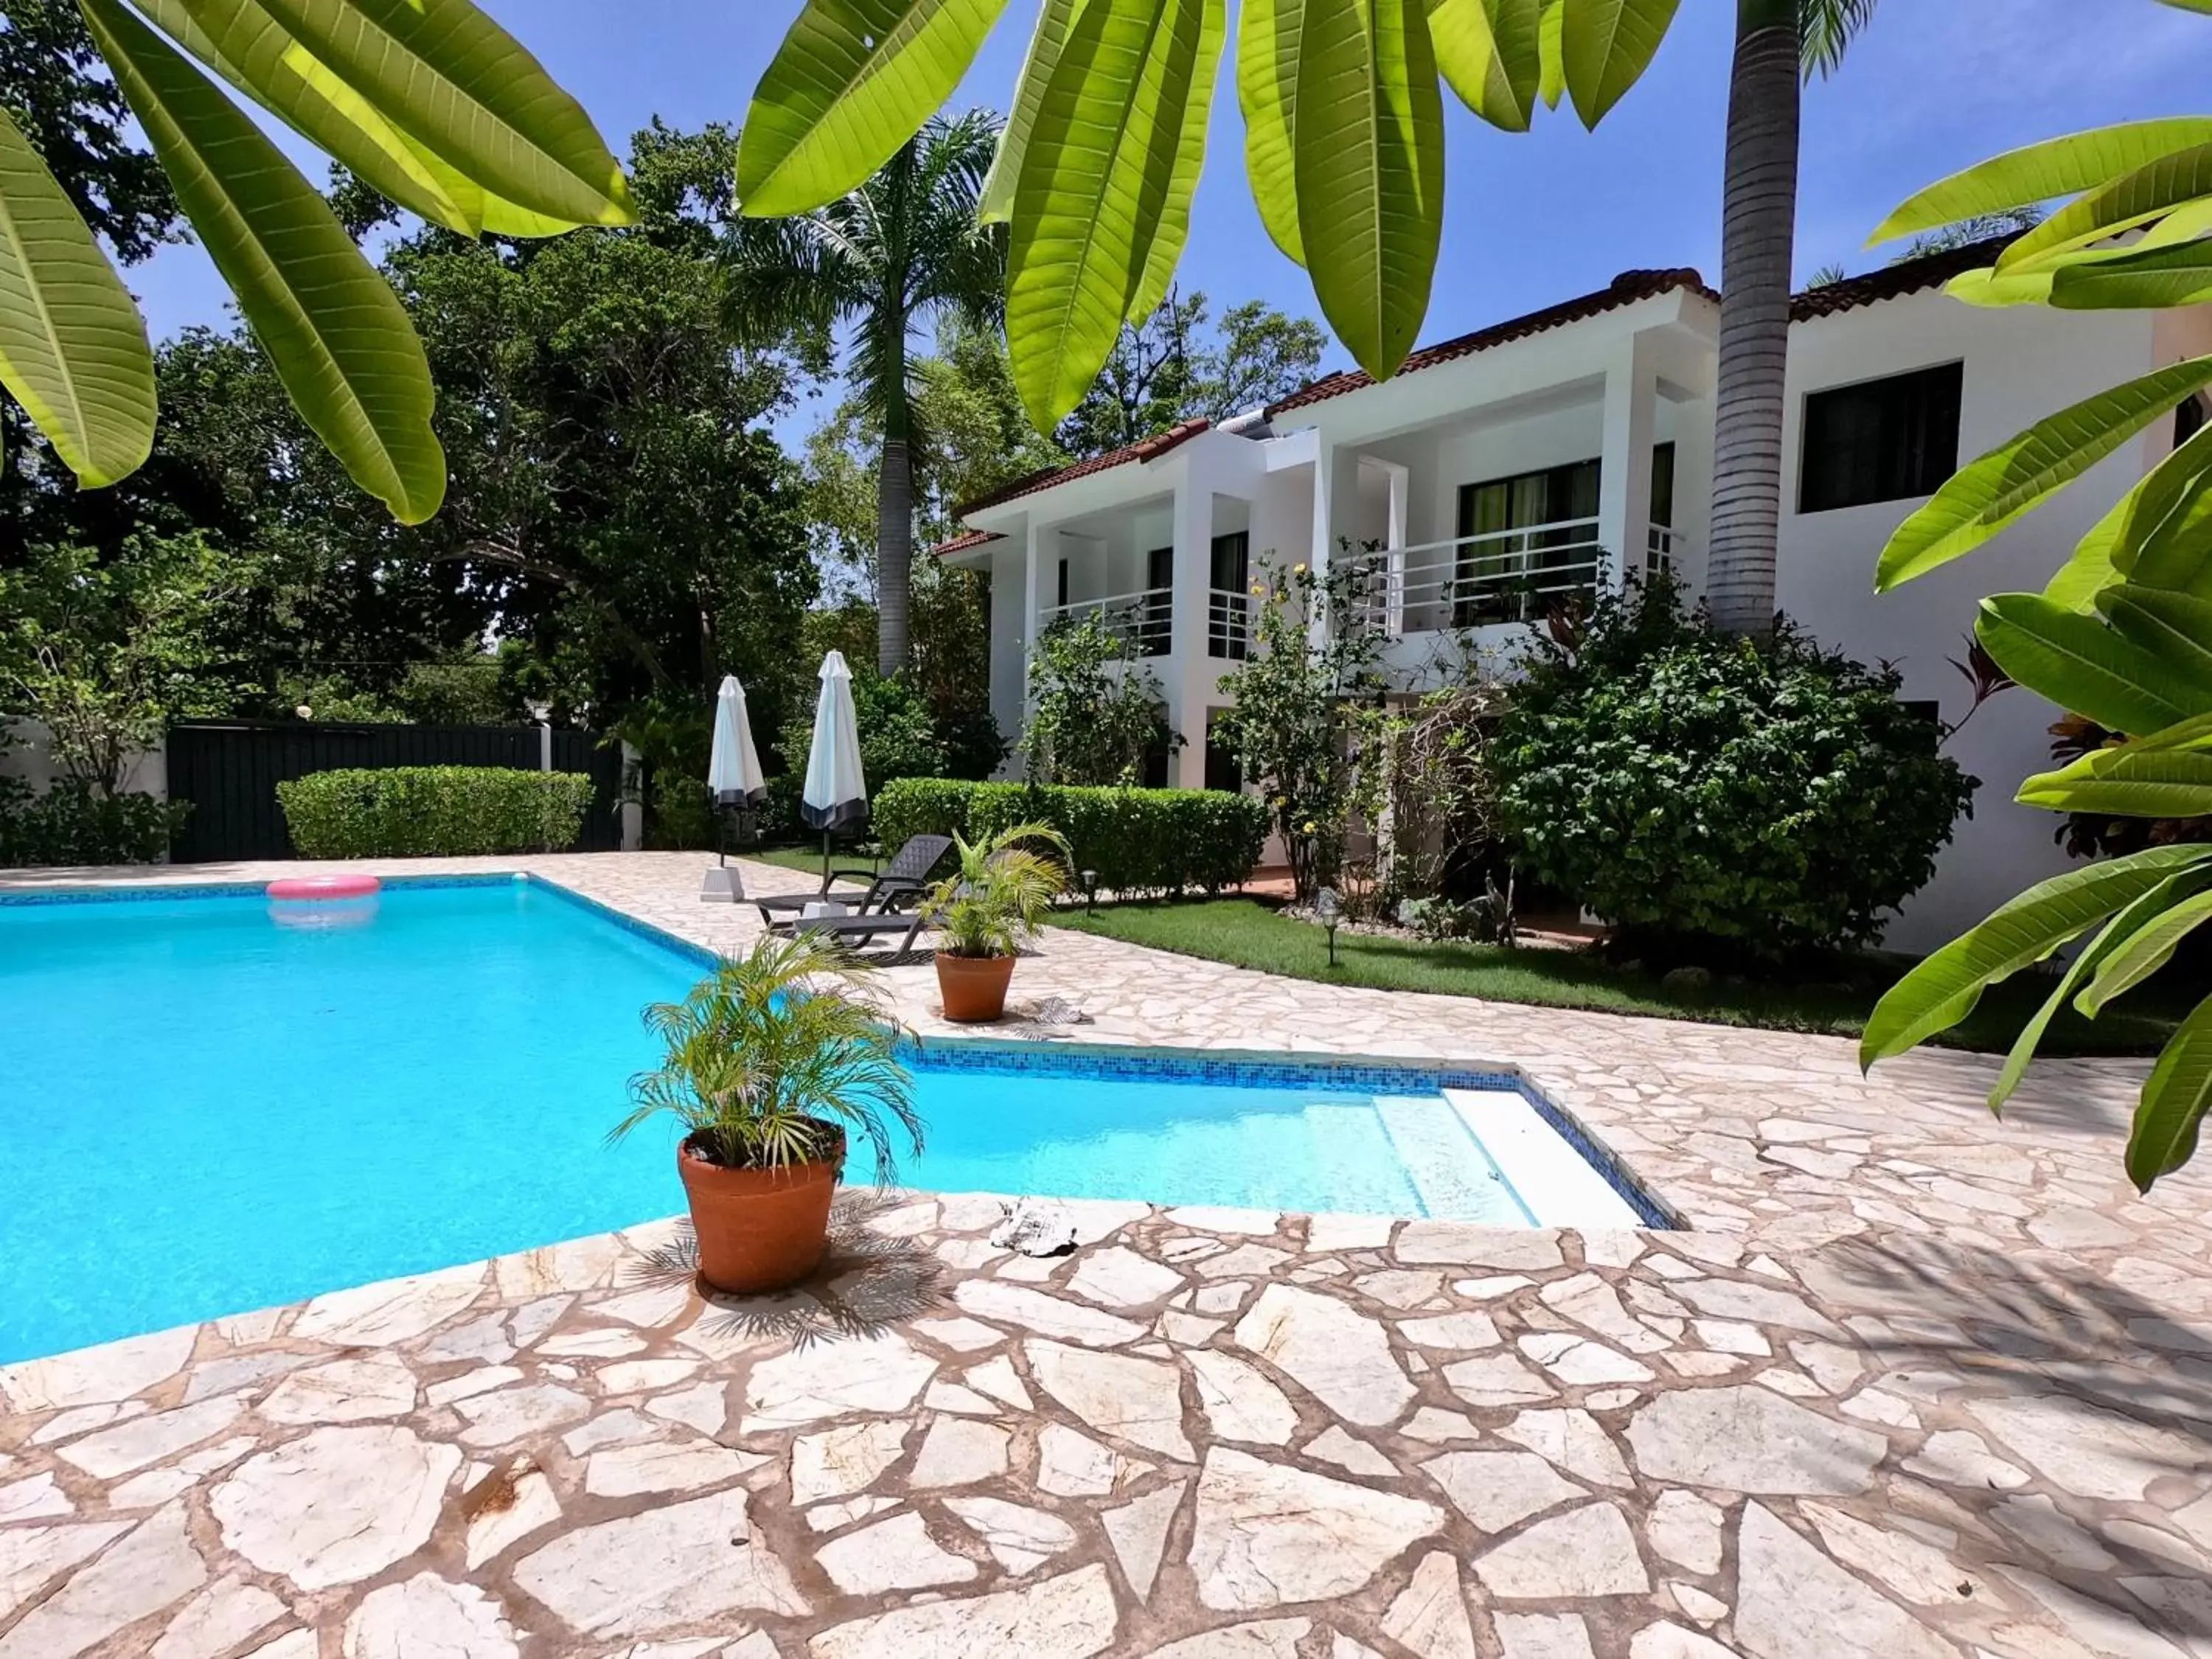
point(470, 94)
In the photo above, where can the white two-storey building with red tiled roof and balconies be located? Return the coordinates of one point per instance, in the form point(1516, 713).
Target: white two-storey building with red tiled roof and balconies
point(1572, 446)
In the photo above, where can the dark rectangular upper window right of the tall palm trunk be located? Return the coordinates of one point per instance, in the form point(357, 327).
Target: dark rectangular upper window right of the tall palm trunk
point(1881, 441)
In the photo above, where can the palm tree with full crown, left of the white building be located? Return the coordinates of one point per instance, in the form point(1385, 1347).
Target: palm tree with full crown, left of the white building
point(877, 264)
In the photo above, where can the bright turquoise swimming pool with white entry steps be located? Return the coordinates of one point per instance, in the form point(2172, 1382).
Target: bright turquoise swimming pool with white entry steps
point(205, 1112)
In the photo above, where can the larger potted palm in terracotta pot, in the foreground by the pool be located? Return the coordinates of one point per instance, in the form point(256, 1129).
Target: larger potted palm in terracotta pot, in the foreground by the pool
point(773, 1065)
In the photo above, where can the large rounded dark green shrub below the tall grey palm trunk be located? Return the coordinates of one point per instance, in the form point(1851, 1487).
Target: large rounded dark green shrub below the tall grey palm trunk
point(1720, 797)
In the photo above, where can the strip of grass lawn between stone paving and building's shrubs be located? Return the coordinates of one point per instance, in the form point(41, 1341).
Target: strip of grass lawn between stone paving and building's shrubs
point(1246, 932)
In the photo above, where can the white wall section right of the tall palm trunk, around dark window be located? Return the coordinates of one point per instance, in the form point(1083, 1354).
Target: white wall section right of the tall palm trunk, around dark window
point(2018, 368)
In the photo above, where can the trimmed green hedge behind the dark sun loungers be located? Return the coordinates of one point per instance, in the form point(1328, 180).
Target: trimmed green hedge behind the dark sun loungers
point(1138, 842)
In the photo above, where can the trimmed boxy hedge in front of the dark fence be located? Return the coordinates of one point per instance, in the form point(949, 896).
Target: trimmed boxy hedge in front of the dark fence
point(432, 811)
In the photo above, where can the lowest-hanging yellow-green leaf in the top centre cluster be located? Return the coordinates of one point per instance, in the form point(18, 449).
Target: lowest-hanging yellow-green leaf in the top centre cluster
point(1094, 189)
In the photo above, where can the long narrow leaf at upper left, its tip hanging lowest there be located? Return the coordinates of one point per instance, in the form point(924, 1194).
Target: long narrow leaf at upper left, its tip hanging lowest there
point(335, 331)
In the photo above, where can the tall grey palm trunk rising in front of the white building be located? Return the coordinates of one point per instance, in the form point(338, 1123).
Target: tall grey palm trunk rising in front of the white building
point(1780, 45)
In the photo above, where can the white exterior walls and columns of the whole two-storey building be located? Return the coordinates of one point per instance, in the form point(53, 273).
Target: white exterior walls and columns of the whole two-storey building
point(1587, 390)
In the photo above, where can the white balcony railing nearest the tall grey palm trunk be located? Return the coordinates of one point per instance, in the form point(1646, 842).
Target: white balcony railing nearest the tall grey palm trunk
point(1479, 581)
